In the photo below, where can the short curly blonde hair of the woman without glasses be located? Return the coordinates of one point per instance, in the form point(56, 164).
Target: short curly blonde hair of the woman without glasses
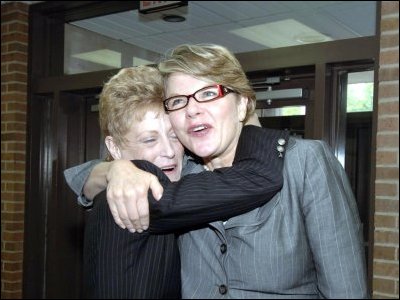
point(126, 98)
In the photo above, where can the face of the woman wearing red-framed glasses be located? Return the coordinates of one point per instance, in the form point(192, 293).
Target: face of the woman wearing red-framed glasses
point(209, 129)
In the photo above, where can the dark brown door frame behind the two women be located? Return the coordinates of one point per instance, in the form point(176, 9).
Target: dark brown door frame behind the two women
point(46, 83)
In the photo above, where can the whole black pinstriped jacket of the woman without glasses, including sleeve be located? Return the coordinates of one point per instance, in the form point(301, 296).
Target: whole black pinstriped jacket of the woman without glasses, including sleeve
point(120, 264)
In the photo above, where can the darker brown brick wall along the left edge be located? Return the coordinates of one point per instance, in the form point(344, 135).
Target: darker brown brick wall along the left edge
point(14, 53)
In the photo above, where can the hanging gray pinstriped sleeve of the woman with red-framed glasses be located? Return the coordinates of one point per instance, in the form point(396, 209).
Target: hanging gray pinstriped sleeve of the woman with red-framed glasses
point(333, 226)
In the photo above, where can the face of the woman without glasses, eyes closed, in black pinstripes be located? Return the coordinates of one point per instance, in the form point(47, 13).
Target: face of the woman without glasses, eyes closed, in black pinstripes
point(154, 140)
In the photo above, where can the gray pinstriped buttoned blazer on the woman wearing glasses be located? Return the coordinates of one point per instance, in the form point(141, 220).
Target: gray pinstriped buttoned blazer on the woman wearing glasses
point(305, 243)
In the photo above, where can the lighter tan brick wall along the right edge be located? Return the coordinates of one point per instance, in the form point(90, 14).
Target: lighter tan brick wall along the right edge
point(386, 234)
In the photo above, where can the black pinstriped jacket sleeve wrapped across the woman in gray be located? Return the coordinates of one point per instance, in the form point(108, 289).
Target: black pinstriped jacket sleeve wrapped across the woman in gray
point(254, 178)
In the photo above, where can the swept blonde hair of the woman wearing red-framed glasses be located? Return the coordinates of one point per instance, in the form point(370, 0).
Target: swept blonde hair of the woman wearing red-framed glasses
point(211, 63)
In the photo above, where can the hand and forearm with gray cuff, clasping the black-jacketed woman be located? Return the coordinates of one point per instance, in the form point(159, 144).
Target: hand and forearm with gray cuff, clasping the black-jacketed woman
point(89, 179)
